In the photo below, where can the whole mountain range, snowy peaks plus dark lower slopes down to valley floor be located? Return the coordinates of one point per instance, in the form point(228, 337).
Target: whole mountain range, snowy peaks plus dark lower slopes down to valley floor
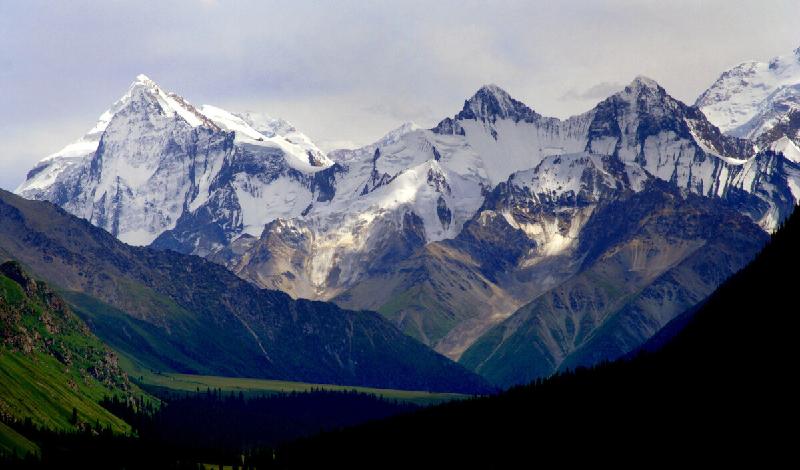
point(516, 244)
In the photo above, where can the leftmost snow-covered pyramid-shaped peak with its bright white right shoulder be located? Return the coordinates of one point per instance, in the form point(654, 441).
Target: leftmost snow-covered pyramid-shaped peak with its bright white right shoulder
point(137, 183)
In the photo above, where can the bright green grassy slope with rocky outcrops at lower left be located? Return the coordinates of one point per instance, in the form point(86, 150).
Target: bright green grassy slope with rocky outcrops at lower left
point(35, 384)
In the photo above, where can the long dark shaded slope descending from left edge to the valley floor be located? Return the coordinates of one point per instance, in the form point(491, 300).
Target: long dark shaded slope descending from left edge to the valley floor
point(185, 314)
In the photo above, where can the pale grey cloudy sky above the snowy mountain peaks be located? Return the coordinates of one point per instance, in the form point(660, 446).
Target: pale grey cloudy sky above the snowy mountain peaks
point(347, 72)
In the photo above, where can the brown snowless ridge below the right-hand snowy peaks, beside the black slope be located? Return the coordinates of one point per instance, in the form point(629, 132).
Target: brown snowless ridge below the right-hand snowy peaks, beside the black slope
point(646, 259)
